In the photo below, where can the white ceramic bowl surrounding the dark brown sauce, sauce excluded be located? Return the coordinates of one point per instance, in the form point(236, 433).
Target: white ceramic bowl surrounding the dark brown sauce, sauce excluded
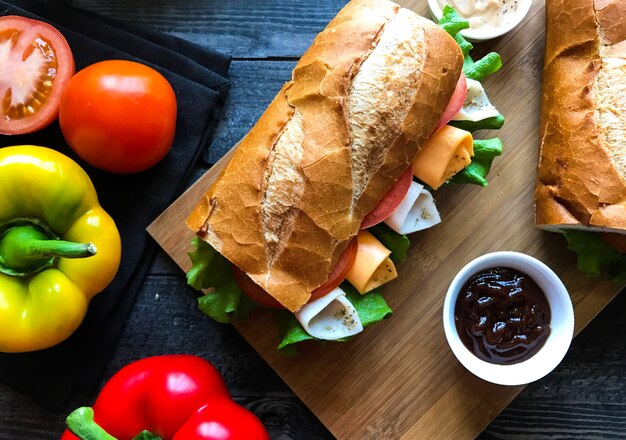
point(562, 321)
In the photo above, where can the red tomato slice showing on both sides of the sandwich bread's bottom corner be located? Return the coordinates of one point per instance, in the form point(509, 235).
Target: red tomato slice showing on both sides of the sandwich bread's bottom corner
point(256, 293)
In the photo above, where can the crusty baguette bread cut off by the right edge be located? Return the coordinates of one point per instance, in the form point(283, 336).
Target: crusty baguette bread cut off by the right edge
point(581, 180)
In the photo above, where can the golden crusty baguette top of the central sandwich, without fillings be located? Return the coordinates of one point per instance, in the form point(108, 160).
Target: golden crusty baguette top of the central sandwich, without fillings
point(362, 100)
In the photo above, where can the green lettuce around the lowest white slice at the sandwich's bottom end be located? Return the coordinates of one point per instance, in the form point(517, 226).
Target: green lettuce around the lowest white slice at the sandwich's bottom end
point(371, 308)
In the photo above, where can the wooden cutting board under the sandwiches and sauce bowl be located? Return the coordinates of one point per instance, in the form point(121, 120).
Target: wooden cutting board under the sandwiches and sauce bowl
point(399, 379)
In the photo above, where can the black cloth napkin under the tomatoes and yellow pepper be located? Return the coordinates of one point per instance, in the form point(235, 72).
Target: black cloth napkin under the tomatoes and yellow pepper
point(61, 376)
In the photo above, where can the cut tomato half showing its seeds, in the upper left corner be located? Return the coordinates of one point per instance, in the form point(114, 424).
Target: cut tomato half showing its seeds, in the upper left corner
point(35, 65)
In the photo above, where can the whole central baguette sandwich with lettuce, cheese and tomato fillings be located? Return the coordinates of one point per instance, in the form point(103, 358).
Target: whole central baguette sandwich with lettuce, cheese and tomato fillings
point(336, 152)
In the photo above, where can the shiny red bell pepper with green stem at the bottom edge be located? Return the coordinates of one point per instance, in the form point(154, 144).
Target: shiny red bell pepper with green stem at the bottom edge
point(171, 397)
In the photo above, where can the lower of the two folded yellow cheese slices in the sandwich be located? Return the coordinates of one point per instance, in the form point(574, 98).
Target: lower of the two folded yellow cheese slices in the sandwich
point(372, 266)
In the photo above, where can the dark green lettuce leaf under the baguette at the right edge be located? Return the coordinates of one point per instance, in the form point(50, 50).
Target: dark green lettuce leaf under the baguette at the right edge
point(595, 256)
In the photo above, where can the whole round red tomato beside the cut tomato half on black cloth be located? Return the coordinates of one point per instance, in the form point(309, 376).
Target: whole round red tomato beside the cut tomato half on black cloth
point(119, 116)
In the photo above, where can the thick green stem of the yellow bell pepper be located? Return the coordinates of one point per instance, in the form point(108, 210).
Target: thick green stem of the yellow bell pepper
point(27, 248)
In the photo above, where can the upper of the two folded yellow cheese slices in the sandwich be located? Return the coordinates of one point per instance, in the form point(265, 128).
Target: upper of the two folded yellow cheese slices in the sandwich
point(446, 153)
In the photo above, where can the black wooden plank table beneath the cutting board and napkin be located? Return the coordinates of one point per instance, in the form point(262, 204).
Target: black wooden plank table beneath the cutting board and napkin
point(585, 397)
